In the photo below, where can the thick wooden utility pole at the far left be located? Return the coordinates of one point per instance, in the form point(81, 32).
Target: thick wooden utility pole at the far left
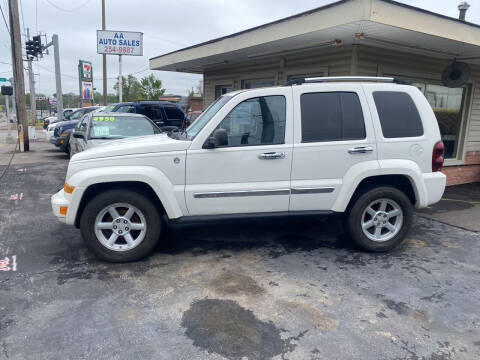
point(17, 65)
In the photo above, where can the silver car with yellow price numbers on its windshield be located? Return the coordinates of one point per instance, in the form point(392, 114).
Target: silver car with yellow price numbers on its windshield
point(99, 127)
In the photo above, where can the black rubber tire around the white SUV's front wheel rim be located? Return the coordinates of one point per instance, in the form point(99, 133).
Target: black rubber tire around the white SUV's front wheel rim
point(142, 203)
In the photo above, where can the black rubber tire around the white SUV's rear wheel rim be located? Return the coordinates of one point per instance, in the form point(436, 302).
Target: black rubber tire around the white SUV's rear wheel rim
point(353, 218)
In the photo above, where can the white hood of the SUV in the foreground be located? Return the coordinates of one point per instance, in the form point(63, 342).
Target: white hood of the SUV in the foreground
point(132, 146)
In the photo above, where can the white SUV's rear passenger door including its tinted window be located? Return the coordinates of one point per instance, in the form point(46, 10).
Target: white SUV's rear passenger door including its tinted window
point(333, 135)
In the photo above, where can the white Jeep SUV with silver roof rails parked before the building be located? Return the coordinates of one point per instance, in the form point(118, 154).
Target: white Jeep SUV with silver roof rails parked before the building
point(369, 148)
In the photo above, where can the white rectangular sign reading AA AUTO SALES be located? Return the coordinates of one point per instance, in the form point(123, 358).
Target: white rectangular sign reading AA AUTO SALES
point(119, 42)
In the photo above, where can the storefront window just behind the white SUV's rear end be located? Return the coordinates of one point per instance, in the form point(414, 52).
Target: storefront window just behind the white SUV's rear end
point(447, 104)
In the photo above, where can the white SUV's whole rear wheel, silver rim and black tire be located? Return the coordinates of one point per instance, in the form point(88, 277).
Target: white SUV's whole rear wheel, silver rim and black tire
point(380, 219)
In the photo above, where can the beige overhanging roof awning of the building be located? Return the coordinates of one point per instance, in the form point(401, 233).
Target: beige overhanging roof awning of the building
point(378, 23)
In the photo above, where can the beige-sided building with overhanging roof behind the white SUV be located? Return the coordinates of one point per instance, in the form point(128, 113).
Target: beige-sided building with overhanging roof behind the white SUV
point(355, 37)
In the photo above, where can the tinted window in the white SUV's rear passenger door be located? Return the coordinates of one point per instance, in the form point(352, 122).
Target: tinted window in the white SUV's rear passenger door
point(331, 116)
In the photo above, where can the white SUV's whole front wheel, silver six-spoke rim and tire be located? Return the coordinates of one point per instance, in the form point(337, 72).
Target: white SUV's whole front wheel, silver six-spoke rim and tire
point(121, 225)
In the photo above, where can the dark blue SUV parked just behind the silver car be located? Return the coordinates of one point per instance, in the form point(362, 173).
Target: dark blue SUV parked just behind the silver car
point(165, 115)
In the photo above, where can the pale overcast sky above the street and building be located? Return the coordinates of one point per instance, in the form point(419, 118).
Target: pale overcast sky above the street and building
point(167, 26)
